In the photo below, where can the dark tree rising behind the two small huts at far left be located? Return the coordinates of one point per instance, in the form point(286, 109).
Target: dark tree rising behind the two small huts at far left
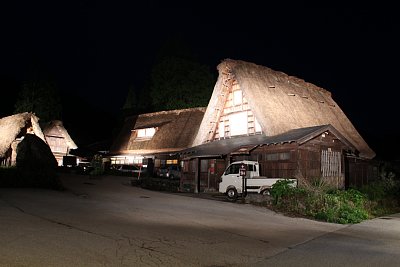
point(40, 97)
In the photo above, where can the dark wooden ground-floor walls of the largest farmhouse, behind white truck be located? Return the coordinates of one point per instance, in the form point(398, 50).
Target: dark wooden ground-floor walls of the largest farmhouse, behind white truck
point(320, 159)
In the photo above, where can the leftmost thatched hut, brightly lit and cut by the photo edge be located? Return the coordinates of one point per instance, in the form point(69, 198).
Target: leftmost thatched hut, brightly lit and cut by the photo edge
point(12, 130)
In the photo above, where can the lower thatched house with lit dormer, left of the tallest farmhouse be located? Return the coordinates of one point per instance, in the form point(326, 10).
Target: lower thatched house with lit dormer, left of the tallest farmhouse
point(158, 136)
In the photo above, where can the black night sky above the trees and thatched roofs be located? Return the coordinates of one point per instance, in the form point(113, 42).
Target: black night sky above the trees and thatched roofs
point(95, 51)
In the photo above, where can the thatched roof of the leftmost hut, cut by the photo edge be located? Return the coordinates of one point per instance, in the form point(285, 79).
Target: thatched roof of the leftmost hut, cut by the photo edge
point(12, 126)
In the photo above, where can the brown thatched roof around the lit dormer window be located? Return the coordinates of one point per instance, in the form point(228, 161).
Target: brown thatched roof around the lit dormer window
point(176, 130)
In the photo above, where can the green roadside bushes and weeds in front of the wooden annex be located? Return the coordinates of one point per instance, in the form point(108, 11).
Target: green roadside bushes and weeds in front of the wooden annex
point(319, 201)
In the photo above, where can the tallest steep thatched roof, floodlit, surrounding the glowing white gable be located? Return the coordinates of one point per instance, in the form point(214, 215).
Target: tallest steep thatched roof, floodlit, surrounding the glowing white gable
point(281, 102)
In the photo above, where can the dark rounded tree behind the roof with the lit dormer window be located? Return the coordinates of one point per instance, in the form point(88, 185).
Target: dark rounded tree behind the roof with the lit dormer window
point(178, 83)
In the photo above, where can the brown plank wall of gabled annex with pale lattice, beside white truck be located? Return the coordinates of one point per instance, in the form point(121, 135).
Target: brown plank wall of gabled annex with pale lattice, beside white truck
point(321, 157)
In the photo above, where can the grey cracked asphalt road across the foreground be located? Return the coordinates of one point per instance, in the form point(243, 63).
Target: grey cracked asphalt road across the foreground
point(107, 222)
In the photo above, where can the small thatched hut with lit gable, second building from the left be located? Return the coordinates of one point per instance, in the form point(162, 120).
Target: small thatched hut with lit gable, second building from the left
point(59, 140)
